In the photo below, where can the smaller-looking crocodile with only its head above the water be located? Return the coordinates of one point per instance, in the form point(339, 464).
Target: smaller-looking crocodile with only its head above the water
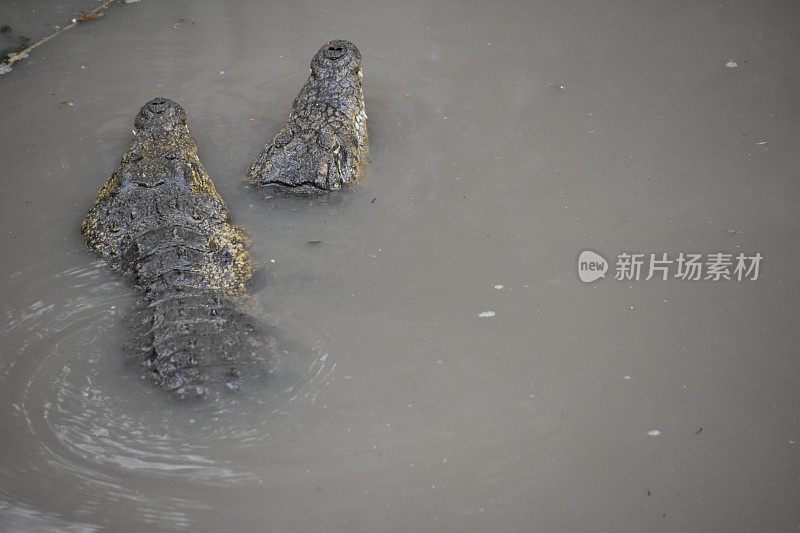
point(324, 144)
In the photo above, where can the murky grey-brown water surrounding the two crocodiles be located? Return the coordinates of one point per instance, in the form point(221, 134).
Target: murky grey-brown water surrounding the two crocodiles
point(505, 140)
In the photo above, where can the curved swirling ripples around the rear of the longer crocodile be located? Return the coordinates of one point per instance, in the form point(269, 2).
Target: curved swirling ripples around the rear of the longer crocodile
point(82, 418)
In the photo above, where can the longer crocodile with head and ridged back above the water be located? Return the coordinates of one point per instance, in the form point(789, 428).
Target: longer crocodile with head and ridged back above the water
point(160, 222)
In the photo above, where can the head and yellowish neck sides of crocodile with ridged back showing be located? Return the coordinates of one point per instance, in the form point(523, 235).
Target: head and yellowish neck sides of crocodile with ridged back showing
point(161, 183)
